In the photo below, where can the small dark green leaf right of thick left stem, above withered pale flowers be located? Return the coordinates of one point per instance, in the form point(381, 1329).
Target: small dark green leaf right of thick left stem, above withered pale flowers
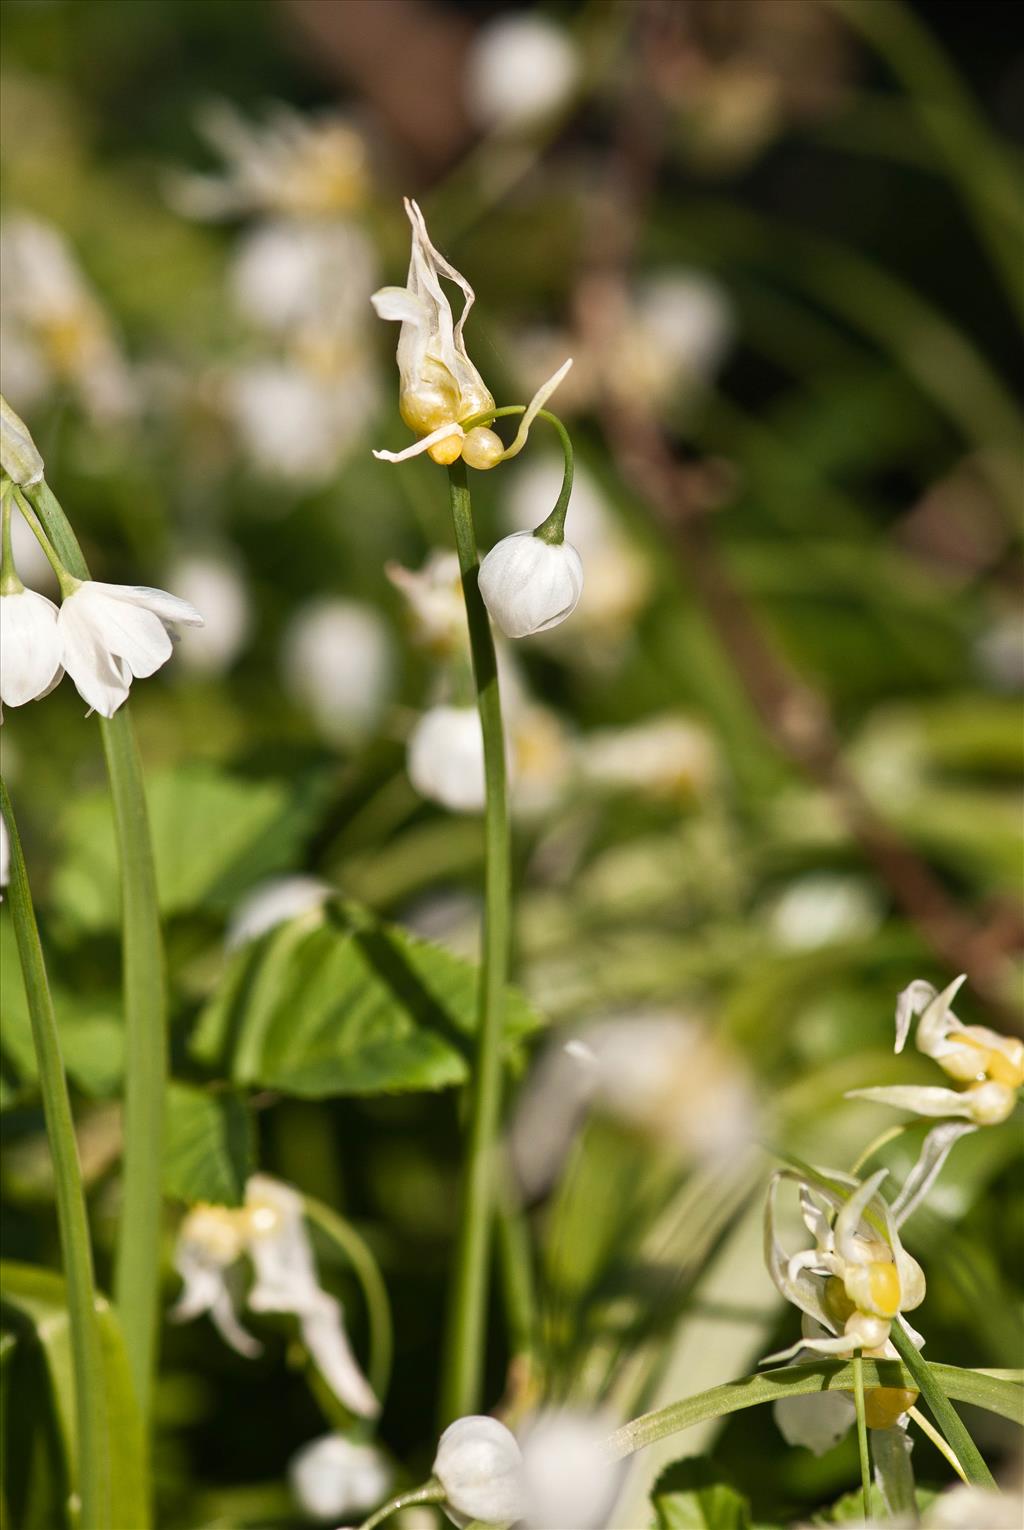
point(207, 1147)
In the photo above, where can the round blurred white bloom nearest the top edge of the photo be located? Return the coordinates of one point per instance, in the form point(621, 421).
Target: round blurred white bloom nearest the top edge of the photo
point(520, 70)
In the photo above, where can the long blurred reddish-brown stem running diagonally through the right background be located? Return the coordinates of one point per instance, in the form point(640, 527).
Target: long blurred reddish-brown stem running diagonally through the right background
point(794, 715)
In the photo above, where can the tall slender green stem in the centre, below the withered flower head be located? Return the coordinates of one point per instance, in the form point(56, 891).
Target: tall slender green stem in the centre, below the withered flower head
point(468, 1312)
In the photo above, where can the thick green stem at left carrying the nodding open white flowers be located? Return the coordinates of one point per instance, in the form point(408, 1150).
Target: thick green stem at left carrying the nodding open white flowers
point(137, 1265)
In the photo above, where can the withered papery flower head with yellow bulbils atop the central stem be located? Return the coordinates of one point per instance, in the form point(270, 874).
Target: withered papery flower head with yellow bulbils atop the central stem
point(440, 388)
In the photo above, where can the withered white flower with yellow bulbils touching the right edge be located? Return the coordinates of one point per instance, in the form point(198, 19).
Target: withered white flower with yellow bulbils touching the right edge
point(991, 1066)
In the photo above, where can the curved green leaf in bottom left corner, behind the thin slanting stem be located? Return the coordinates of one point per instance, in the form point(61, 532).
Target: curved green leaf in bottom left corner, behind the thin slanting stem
point(36, 1307)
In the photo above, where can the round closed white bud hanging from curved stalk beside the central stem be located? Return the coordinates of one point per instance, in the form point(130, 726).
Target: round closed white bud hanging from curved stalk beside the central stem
point(530, 585)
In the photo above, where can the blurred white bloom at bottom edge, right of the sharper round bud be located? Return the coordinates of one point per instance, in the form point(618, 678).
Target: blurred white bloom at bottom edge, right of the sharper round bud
point(570, 1477)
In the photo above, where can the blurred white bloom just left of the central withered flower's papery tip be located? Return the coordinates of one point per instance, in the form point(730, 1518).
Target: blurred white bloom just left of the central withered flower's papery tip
point(290, 276)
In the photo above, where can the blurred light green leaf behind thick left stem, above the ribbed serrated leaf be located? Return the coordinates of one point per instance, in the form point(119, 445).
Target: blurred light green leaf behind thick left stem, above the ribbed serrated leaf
point(214, 836)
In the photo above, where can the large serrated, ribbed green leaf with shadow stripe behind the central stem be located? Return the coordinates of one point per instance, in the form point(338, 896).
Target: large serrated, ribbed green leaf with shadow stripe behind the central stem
point(348, 1006)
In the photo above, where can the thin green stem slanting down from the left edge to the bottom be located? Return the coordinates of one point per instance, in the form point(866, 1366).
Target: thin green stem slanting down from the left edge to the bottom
point(91, 1404)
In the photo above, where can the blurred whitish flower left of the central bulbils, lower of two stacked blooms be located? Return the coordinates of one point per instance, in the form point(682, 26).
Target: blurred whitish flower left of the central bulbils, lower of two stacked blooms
point(296, 425)
